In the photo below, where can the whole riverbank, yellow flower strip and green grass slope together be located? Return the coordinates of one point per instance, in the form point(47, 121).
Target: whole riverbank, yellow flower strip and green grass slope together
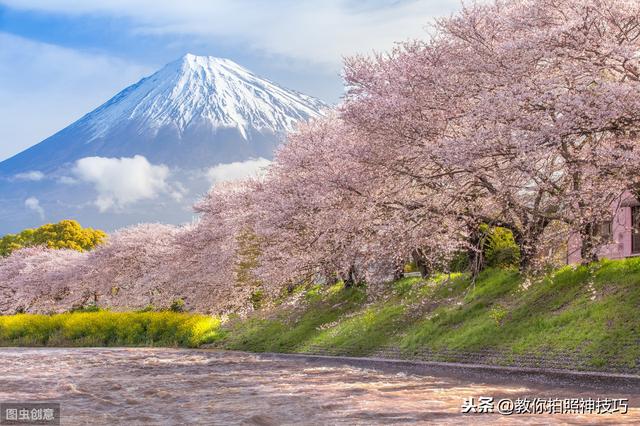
point(590, 314)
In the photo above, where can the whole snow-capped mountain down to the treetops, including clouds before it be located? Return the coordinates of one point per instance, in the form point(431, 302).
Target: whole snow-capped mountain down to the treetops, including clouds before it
point(152, 149)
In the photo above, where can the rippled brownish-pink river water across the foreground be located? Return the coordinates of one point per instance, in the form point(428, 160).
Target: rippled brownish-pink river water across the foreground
point(192, 387)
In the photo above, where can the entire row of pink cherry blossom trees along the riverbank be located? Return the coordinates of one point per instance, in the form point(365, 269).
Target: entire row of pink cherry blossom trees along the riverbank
point(522, 114)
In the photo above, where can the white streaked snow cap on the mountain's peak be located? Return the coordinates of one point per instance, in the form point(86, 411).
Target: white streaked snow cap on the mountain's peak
point(203, 91)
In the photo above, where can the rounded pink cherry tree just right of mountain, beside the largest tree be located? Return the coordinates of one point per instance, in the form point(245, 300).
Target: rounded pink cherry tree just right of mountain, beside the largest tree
point(327, 209)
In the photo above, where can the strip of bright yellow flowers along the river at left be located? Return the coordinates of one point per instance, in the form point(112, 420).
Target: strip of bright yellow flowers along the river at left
point(104, 328)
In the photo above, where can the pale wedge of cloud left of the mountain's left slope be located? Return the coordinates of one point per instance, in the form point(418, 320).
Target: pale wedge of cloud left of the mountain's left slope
point(46, 87)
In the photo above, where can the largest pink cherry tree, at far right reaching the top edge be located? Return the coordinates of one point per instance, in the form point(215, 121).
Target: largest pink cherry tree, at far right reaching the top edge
point(507, 102)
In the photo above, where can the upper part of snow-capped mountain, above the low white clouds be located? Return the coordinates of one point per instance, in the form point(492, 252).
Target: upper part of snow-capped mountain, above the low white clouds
point(194, 112)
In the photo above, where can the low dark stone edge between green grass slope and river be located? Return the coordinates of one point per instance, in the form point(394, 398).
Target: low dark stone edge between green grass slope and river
point(490, 373)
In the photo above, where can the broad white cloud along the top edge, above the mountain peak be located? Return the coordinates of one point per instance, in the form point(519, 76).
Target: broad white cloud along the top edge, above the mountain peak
point(320, 32)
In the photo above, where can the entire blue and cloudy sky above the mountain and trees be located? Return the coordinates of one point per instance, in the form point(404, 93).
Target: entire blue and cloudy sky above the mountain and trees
point(61, 58)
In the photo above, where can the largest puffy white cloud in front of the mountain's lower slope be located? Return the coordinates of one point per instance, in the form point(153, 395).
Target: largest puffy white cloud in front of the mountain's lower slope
point(123, 181)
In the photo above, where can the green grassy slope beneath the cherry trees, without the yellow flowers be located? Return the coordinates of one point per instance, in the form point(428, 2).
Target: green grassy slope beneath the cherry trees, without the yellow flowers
point(591, 312)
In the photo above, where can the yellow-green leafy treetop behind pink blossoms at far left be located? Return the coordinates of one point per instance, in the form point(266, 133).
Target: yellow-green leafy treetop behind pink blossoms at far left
point(67, 234)
